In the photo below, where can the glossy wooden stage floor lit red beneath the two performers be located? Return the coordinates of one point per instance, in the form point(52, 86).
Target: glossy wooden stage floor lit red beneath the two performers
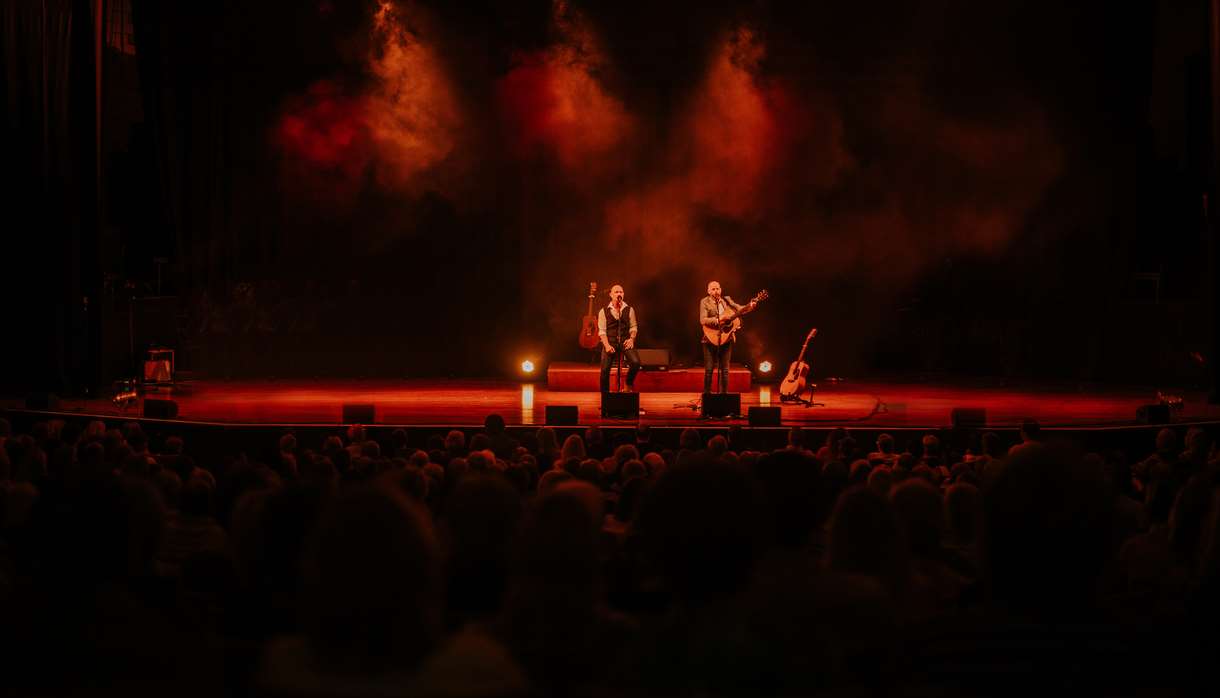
point(465, 403)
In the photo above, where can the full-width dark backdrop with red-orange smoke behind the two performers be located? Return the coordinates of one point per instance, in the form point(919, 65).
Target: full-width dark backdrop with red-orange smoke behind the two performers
point(944, 190)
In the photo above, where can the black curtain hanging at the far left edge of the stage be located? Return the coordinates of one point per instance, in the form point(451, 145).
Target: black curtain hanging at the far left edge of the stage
point(49, 162)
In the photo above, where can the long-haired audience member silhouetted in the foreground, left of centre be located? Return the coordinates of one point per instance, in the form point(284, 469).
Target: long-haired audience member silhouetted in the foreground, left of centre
point(373, 613)
